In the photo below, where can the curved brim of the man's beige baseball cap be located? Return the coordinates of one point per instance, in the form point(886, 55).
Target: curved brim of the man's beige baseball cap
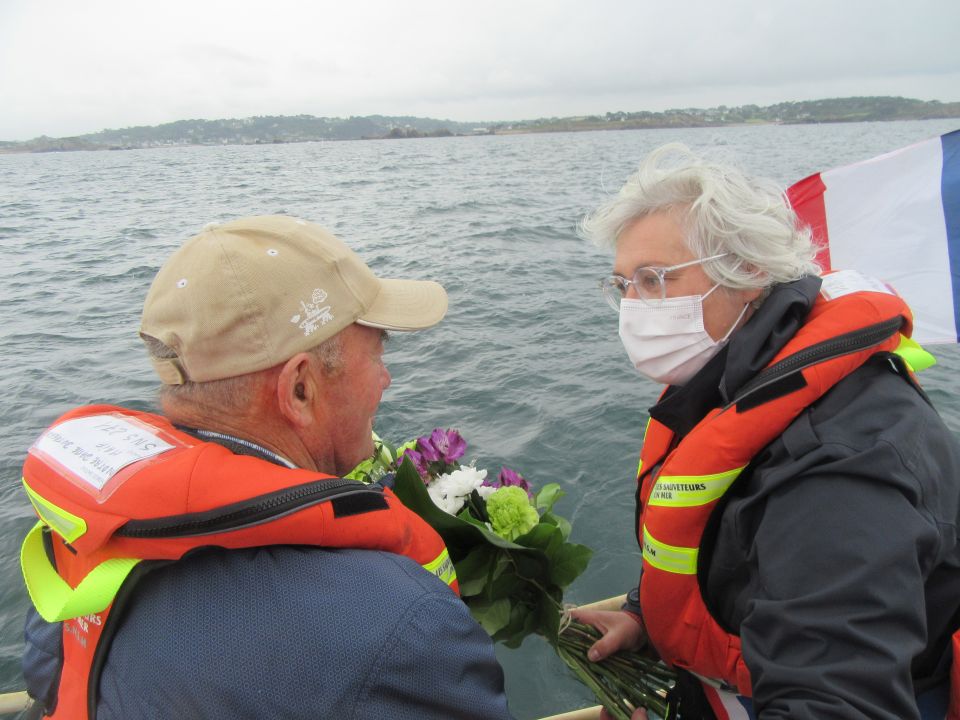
point(406, 305)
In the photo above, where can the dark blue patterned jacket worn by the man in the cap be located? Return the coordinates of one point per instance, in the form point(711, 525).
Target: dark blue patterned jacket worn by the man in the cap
point(291, 632)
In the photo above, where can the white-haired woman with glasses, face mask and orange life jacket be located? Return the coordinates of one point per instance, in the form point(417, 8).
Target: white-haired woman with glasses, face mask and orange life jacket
point(798, 496)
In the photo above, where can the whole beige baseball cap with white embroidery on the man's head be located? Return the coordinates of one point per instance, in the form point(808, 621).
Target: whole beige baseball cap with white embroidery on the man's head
point(249, 294)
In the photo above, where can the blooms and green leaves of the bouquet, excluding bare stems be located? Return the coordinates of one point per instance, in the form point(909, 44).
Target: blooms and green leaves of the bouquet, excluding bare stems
point(509, 549)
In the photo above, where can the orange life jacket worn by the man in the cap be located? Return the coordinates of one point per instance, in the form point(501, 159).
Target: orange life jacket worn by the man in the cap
point(115, 487)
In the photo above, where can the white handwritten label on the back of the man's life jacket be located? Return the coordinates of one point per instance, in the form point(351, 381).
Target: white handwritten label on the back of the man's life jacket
point(96, 448)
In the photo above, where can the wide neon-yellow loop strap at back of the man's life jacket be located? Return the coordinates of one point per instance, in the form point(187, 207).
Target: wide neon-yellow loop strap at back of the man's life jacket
point(54, 599)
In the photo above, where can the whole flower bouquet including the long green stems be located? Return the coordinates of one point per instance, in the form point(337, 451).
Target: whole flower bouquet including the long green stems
point(513, 559)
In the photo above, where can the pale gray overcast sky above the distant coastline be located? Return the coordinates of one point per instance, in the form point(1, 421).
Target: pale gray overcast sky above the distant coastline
point(70, 67)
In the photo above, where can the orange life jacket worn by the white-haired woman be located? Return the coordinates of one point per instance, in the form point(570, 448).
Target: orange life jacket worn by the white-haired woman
point(678, 499)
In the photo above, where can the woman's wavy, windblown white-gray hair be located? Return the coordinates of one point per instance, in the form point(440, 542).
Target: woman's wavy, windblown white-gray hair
point(720, 210)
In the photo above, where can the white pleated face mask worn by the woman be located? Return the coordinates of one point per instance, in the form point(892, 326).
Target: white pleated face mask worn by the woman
point(666, 339)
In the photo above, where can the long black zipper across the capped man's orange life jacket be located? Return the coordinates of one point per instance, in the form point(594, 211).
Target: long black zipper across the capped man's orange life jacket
point(247, 513)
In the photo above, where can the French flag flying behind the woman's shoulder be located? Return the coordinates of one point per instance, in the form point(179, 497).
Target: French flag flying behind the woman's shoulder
point(895, 217)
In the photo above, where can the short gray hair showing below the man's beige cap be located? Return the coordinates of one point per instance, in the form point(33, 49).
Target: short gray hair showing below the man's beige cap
point(234, 394)
